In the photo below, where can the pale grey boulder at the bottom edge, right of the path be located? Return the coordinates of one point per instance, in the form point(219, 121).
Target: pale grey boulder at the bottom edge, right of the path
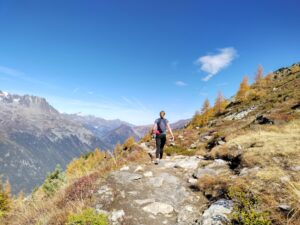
point(217, 213)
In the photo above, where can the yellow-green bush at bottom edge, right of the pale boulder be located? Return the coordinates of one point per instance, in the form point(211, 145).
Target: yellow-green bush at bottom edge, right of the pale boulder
point(246, 210)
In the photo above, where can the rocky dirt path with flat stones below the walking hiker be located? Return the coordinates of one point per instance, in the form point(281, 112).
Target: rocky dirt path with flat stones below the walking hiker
point(151, 194)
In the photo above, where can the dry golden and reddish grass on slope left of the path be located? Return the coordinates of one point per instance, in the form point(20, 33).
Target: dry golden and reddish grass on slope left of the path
point(74, 196)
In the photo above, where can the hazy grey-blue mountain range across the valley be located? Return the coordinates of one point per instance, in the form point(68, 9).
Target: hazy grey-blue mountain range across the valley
point(35, 137)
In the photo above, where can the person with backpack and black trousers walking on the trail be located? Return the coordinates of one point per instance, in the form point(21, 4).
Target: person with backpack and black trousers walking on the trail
point(160, 127)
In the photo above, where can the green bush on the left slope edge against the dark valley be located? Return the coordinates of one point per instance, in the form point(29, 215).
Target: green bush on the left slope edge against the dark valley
point(54, 181)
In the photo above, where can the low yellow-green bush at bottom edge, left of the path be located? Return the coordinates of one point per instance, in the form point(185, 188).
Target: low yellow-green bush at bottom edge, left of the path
point(87, 217)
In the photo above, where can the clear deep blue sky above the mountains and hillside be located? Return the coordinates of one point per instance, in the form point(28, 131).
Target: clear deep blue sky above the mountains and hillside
point(130, 59)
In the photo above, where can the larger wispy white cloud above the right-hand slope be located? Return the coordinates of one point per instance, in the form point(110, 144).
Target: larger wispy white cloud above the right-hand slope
point(214, 63)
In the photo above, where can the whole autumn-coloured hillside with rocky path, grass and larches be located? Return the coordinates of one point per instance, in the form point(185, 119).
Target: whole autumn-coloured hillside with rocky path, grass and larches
point(236, 162)
